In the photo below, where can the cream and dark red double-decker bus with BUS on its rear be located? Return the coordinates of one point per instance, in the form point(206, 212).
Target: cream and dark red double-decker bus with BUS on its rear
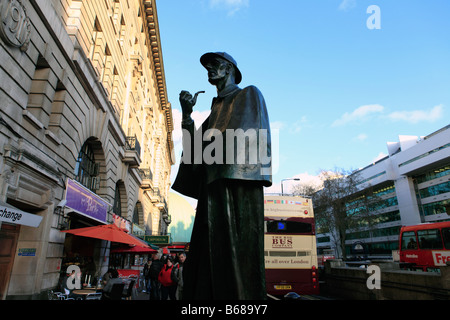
point(290, 246)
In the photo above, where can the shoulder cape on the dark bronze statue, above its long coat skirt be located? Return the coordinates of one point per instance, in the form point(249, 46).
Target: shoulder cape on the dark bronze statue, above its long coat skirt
point(216, 150)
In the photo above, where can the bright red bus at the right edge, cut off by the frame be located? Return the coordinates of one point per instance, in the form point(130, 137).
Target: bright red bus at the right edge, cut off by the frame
point(425, 246)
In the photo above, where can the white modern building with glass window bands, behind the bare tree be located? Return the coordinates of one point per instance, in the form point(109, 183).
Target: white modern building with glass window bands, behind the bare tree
point(414, 183)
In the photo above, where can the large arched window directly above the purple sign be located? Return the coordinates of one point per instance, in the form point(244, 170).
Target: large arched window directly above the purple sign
point(86, 170)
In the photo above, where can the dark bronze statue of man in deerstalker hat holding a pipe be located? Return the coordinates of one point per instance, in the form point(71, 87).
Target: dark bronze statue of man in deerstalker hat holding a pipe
point(225, 165)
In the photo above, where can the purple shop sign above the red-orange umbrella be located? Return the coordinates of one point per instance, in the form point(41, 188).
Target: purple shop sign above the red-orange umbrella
point(85, 202)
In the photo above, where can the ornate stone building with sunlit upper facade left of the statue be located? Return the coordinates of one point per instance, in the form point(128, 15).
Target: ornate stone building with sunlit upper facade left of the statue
point(85, 134)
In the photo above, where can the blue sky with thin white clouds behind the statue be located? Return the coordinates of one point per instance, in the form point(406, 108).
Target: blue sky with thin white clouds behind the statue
point(335, 90)
